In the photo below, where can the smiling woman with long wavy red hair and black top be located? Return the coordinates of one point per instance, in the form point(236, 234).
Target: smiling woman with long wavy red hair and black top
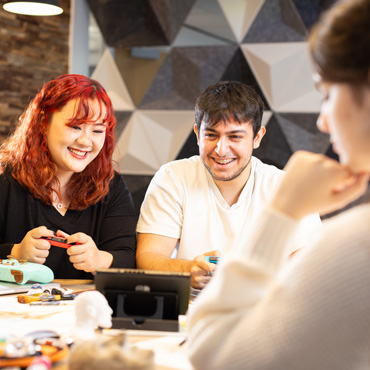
point(56, 175)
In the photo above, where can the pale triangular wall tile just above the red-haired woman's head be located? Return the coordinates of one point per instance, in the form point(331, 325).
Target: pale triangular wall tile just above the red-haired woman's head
point(107, 73)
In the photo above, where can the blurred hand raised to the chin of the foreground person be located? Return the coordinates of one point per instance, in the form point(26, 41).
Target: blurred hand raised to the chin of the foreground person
point(316, 183)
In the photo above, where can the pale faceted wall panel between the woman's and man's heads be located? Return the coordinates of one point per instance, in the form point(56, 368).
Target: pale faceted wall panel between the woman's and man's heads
point(151, 139)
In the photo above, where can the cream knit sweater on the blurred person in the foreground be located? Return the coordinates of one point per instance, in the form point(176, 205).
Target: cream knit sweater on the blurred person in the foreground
point(311, 313)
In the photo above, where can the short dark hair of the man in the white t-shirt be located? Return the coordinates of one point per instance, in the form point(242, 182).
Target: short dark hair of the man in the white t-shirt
point(229, 99)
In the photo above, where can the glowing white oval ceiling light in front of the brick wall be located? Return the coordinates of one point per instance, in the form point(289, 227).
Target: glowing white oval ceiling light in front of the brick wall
point(41, 7)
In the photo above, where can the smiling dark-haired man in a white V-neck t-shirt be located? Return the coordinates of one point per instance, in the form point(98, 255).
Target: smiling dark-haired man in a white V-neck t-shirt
point(205, 205)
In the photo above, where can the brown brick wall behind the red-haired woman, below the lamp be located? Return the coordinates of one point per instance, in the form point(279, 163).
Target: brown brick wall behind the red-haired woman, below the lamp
point(33, 50)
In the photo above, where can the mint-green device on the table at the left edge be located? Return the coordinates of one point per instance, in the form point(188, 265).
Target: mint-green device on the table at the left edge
point(20, 272)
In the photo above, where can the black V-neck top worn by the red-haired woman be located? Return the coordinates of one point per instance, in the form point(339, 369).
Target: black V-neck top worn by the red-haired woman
point(111, 223)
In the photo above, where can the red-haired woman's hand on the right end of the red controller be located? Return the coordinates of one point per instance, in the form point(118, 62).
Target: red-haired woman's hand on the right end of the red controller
point(86, 255)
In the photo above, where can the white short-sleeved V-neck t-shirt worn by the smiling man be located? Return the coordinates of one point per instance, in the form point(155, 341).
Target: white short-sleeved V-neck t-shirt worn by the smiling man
point(183, 202)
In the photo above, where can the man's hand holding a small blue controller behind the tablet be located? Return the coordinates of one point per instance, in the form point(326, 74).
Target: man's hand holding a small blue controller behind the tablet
point(201, 270)
